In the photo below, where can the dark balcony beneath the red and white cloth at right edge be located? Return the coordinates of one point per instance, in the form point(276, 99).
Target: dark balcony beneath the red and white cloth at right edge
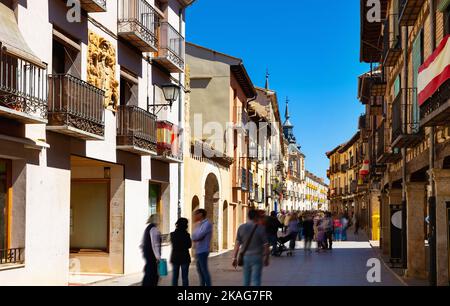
point(436, 110)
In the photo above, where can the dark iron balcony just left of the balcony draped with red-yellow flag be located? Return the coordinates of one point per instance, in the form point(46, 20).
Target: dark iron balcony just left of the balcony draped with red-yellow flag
point(136, 130)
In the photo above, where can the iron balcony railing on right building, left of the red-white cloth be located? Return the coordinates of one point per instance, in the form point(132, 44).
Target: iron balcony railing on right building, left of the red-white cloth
point(405, 118)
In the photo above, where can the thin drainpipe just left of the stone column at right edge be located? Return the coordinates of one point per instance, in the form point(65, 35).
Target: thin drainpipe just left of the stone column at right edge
point(432, 195)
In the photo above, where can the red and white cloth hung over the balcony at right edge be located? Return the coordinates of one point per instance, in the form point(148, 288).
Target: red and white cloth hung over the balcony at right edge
point(435, 71)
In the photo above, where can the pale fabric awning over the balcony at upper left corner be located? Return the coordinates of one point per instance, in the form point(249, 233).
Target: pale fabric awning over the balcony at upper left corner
point(11, 38)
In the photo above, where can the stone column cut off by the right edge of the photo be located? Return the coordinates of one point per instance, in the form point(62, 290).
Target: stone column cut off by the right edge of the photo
point(442, 183)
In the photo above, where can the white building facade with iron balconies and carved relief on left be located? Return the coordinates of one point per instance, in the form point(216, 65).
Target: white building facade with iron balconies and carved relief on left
point(89, 146)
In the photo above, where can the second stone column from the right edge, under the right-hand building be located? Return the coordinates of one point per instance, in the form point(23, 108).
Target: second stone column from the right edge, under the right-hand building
point(416, 201)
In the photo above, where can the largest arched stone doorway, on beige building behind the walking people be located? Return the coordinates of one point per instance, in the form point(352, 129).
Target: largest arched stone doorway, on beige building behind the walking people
point(212, 196)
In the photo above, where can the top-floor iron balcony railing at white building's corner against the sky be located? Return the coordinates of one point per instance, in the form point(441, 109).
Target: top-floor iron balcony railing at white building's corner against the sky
point(172, 45)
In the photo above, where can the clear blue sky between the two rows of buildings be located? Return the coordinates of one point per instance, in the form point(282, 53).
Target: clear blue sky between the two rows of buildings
point(312, 52)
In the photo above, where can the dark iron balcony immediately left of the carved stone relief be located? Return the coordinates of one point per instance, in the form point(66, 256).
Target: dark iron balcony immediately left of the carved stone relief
point(75, 108)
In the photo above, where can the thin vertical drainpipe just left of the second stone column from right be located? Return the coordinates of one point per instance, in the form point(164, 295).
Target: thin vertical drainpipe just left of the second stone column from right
point(404, 127)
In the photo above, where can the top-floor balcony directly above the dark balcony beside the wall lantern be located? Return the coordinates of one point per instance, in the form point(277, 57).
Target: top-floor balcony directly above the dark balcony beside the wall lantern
point(138, 24)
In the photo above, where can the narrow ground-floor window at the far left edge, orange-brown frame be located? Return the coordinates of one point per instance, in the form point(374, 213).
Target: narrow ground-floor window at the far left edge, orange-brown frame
point(5, 202)
